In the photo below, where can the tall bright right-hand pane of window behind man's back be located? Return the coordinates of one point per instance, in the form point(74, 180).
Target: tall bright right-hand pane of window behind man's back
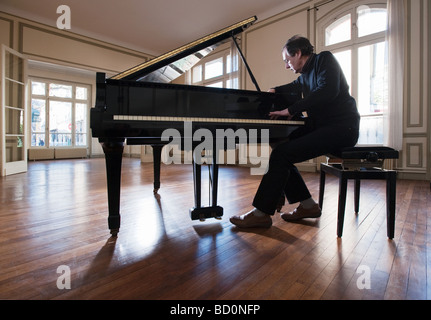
point(372, 79)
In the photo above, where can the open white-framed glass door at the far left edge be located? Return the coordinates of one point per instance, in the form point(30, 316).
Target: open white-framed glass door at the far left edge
point(13, 112)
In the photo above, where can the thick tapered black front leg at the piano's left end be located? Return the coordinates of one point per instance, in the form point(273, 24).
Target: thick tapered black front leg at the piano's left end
point(113, 158)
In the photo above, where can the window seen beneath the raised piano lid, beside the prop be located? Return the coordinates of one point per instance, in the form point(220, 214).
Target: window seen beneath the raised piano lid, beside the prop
point(218, 70)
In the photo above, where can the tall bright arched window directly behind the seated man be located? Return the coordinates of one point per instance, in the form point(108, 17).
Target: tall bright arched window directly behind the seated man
point(358, 40)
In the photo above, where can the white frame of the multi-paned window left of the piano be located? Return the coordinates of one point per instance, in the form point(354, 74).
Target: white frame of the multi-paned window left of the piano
point(74, 102)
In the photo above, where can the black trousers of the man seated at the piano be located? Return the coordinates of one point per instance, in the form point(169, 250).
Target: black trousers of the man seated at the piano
point(304, 144)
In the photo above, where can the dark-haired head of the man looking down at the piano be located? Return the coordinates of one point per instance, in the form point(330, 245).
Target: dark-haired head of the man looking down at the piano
point(296, 53)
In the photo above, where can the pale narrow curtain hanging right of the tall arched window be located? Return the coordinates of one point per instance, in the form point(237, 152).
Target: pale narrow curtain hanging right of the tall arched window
point(393, 117)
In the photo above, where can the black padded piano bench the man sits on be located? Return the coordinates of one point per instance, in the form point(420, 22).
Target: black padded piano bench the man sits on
point(358, 163)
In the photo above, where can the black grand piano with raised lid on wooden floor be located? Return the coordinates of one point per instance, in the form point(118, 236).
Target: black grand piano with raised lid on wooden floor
point(136, 106)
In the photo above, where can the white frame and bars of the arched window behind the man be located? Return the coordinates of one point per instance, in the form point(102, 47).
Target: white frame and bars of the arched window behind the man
point(353, 44)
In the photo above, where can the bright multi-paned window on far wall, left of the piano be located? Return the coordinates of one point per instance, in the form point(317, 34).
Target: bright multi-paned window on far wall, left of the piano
point(59, 113)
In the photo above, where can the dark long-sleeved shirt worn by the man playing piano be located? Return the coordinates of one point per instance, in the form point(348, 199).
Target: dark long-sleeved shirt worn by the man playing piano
point(325, 92)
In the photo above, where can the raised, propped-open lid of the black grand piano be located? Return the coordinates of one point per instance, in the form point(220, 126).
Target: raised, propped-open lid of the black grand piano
point(171, 65)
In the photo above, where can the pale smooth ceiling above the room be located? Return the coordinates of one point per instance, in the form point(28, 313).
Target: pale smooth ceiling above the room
point(149, 26)
